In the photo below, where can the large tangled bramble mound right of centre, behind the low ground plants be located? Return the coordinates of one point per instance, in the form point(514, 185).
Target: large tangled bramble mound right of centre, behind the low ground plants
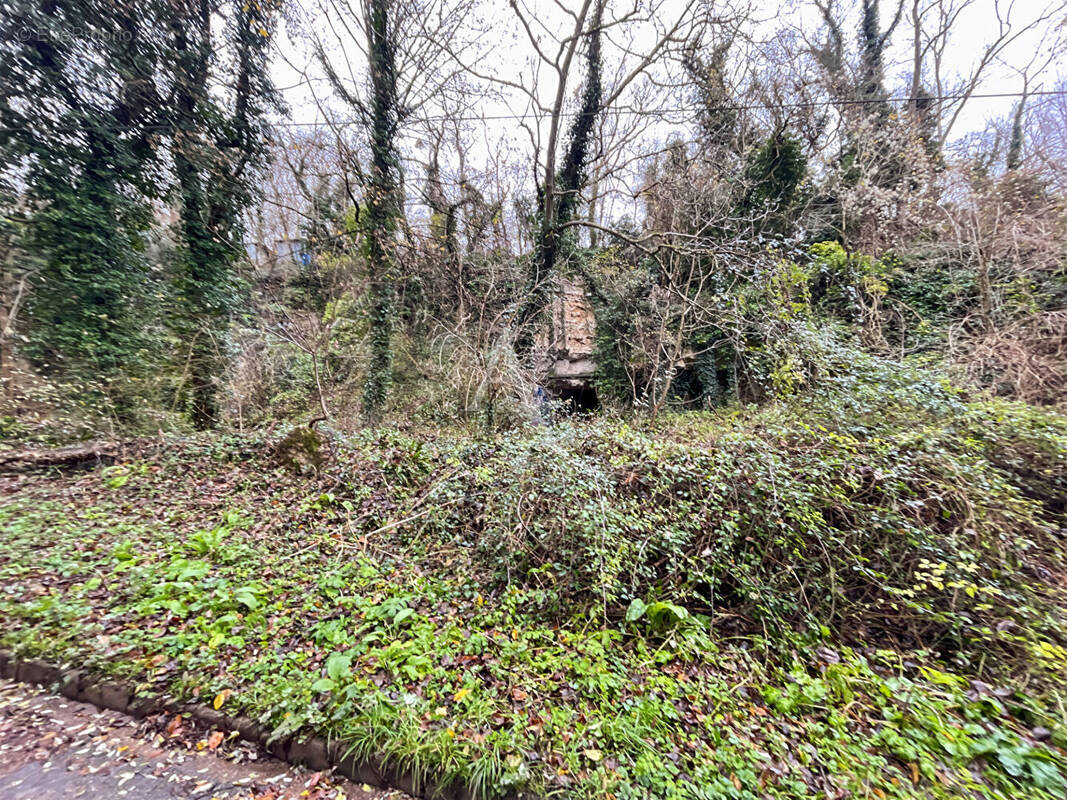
point(885, 505)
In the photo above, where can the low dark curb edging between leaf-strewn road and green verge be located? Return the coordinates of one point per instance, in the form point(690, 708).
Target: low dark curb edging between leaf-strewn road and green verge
point(313, 753)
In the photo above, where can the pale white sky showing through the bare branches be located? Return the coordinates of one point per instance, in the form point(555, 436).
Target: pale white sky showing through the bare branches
point(504, 51)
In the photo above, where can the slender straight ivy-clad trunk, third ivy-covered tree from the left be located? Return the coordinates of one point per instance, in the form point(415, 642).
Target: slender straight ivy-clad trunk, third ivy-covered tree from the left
point(383, 206)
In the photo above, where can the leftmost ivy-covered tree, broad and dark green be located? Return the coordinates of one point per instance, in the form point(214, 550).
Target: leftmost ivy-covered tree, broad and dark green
point(76, 115)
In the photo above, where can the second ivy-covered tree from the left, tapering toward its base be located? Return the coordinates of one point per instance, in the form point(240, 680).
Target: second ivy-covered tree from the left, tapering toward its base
point(215, 151)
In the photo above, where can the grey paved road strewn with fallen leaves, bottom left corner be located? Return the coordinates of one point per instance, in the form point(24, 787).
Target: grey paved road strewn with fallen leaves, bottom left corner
point(56, 749)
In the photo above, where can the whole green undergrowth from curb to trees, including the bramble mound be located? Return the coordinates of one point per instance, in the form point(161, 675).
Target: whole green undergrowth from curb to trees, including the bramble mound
point(859, 594)
